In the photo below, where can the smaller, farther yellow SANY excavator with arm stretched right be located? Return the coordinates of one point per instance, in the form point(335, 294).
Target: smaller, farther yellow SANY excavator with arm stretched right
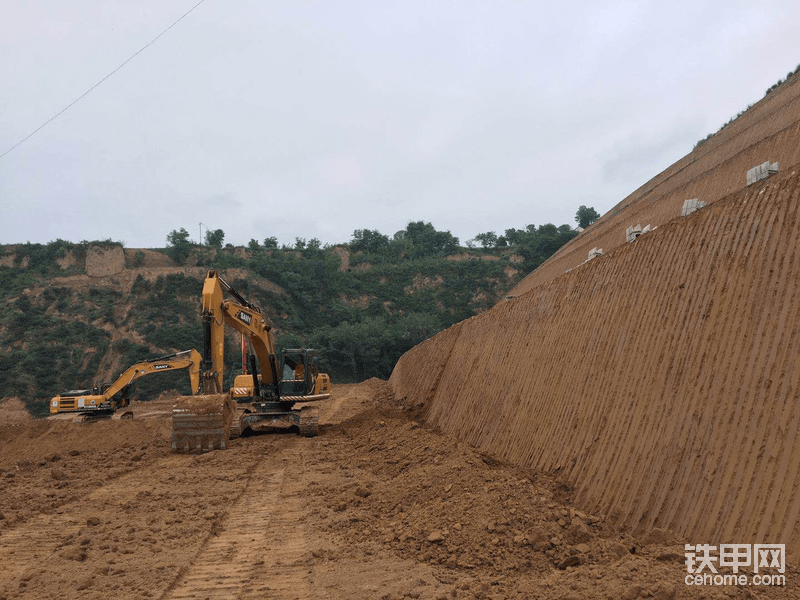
point(104, 401)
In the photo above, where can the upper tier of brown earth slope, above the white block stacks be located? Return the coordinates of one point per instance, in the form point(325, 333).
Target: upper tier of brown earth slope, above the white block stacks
point(717, 168)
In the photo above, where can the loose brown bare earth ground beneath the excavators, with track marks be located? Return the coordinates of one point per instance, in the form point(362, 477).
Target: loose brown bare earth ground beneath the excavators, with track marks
point(375, 507)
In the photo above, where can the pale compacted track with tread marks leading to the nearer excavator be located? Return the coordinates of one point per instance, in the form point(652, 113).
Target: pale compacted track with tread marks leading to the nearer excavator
point(260, 551)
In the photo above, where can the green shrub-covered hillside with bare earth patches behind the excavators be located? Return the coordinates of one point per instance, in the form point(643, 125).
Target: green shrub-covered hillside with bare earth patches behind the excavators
point(76, 315)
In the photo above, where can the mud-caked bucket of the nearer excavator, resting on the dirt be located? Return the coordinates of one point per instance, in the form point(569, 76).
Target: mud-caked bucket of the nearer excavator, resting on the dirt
point(202, 423)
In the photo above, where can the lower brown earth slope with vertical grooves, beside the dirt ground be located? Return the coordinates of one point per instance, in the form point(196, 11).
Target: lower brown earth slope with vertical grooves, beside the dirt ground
point(660, 381)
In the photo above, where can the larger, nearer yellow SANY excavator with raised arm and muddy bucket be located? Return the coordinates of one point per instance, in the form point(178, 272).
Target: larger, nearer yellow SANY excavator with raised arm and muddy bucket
point(266, 398)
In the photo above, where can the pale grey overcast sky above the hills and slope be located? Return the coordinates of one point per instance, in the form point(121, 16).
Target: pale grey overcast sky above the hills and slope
point(313, 119)
